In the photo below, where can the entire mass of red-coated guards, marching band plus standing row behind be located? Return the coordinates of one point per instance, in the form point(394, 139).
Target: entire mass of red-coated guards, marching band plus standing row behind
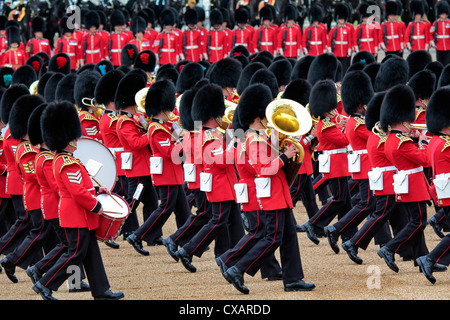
point(230, 130)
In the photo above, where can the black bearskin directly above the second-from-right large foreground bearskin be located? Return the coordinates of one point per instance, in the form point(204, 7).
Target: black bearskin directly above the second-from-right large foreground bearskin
point(393, 71)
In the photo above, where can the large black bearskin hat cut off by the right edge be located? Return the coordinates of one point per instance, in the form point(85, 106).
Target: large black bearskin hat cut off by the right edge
point(438, 111)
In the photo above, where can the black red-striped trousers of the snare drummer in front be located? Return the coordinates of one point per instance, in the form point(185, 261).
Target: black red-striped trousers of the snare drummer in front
point(82, 249)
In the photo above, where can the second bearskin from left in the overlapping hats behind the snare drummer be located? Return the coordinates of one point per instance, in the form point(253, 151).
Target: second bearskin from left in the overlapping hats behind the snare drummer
point(20, 112)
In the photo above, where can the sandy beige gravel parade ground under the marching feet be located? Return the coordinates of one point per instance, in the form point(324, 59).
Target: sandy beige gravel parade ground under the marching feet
point(159, 277)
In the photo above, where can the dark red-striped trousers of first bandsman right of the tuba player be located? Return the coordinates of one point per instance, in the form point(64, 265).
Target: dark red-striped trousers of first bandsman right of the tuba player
point(339, 204)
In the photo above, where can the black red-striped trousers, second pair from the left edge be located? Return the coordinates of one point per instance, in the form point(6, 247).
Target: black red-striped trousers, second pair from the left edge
point(30, 250)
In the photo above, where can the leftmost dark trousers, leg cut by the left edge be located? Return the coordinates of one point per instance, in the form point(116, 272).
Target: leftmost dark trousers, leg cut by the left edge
point(19, 230)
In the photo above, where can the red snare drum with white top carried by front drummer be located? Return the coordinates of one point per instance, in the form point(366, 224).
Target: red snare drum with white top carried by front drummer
point(115, 211)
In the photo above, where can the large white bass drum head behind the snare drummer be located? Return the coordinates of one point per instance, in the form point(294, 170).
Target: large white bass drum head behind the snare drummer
point(98, 160)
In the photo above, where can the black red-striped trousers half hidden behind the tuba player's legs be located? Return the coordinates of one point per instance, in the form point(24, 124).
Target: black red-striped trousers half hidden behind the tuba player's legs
point(256, 232)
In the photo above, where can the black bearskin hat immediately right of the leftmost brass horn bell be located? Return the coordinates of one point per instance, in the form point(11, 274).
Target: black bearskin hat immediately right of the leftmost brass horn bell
point(160, 97)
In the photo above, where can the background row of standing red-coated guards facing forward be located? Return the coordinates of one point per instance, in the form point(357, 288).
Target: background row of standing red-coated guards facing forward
point(92, 43)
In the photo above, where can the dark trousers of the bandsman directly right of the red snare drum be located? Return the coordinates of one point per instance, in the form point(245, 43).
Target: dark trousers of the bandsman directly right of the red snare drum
point(148, 197)
